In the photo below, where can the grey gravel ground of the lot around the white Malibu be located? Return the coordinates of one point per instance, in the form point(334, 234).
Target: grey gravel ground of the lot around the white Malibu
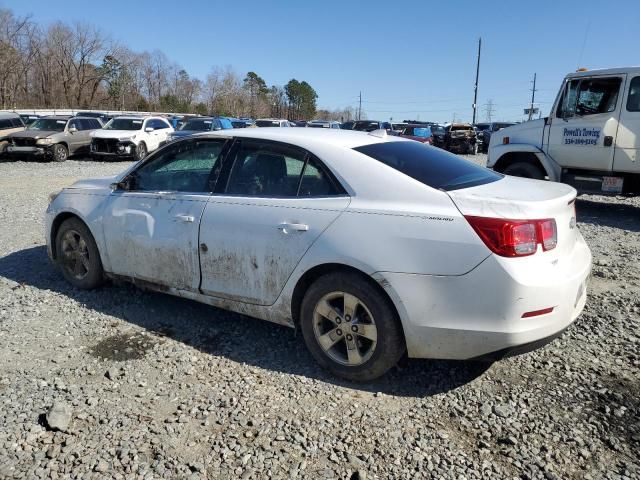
point(146, 385)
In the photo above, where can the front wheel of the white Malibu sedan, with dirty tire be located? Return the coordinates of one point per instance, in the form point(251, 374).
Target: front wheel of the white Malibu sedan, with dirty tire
point(78, 256)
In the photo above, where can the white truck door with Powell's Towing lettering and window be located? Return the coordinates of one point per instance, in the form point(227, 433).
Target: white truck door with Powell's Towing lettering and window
point(583, 126)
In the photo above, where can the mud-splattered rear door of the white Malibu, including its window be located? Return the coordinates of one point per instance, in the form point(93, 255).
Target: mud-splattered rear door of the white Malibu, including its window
point(277, 202)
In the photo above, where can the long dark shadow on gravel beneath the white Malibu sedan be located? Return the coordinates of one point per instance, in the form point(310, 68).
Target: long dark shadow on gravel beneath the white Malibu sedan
point(221, 333)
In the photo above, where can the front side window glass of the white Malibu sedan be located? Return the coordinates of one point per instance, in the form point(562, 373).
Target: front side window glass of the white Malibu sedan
point(188, 166)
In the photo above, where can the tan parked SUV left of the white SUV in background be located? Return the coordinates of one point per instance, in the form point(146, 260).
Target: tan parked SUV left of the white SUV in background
point(54, 137)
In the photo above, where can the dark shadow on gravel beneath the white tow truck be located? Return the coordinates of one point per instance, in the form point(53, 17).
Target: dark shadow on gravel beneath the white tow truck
point(608, 214)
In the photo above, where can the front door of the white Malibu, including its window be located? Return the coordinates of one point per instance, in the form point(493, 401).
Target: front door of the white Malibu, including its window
point(151, 226)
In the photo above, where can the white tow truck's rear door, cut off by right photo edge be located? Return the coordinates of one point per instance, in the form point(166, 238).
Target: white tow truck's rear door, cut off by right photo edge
point(627, 144)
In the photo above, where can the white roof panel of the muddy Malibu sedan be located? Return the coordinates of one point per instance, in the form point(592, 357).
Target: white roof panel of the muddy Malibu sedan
point(304, 137)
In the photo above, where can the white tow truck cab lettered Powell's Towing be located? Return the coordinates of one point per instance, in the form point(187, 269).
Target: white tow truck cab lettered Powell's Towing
point(590, 140)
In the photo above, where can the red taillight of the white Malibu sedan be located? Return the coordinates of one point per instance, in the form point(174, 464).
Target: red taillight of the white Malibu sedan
point(515, 238)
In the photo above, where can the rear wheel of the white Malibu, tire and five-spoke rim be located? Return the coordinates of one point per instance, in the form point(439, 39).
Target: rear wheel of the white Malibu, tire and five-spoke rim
point(360, 346)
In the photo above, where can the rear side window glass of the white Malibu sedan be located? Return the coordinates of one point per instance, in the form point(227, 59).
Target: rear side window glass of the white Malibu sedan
point(264, 169)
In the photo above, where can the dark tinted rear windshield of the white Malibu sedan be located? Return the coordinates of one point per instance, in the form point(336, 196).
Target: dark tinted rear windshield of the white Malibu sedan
point(430, 165)
